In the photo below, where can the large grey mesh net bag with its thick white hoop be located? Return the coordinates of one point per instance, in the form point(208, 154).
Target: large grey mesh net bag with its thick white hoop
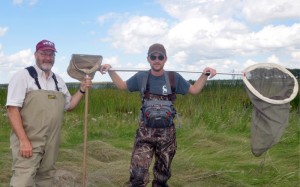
point(270, 88)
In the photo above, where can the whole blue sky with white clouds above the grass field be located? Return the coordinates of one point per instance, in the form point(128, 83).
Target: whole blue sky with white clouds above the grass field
point(228, 35)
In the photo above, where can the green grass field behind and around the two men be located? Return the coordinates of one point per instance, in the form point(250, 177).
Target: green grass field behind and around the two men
point(213, 139)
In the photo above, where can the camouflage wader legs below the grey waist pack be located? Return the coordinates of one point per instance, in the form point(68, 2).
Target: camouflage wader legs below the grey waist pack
point(149, 142)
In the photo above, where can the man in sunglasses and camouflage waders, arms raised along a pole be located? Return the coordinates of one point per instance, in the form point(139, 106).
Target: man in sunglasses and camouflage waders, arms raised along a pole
point(155, 135)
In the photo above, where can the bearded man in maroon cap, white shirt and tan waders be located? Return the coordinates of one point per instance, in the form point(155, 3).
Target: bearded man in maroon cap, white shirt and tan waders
point(36, 101)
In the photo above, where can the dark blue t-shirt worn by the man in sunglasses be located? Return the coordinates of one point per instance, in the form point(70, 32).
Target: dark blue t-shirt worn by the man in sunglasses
point(157, 83)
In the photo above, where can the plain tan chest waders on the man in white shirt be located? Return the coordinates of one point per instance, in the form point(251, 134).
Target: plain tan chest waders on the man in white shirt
point(42, 116)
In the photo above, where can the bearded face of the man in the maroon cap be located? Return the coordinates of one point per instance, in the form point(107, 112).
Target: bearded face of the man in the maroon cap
point(45, 59)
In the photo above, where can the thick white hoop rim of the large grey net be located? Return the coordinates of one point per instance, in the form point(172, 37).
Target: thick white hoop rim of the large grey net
point(260, 96)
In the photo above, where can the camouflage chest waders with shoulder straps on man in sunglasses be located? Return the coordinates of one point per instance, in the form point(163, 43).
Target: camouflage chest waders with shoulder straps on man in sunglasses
point(153, 142)
